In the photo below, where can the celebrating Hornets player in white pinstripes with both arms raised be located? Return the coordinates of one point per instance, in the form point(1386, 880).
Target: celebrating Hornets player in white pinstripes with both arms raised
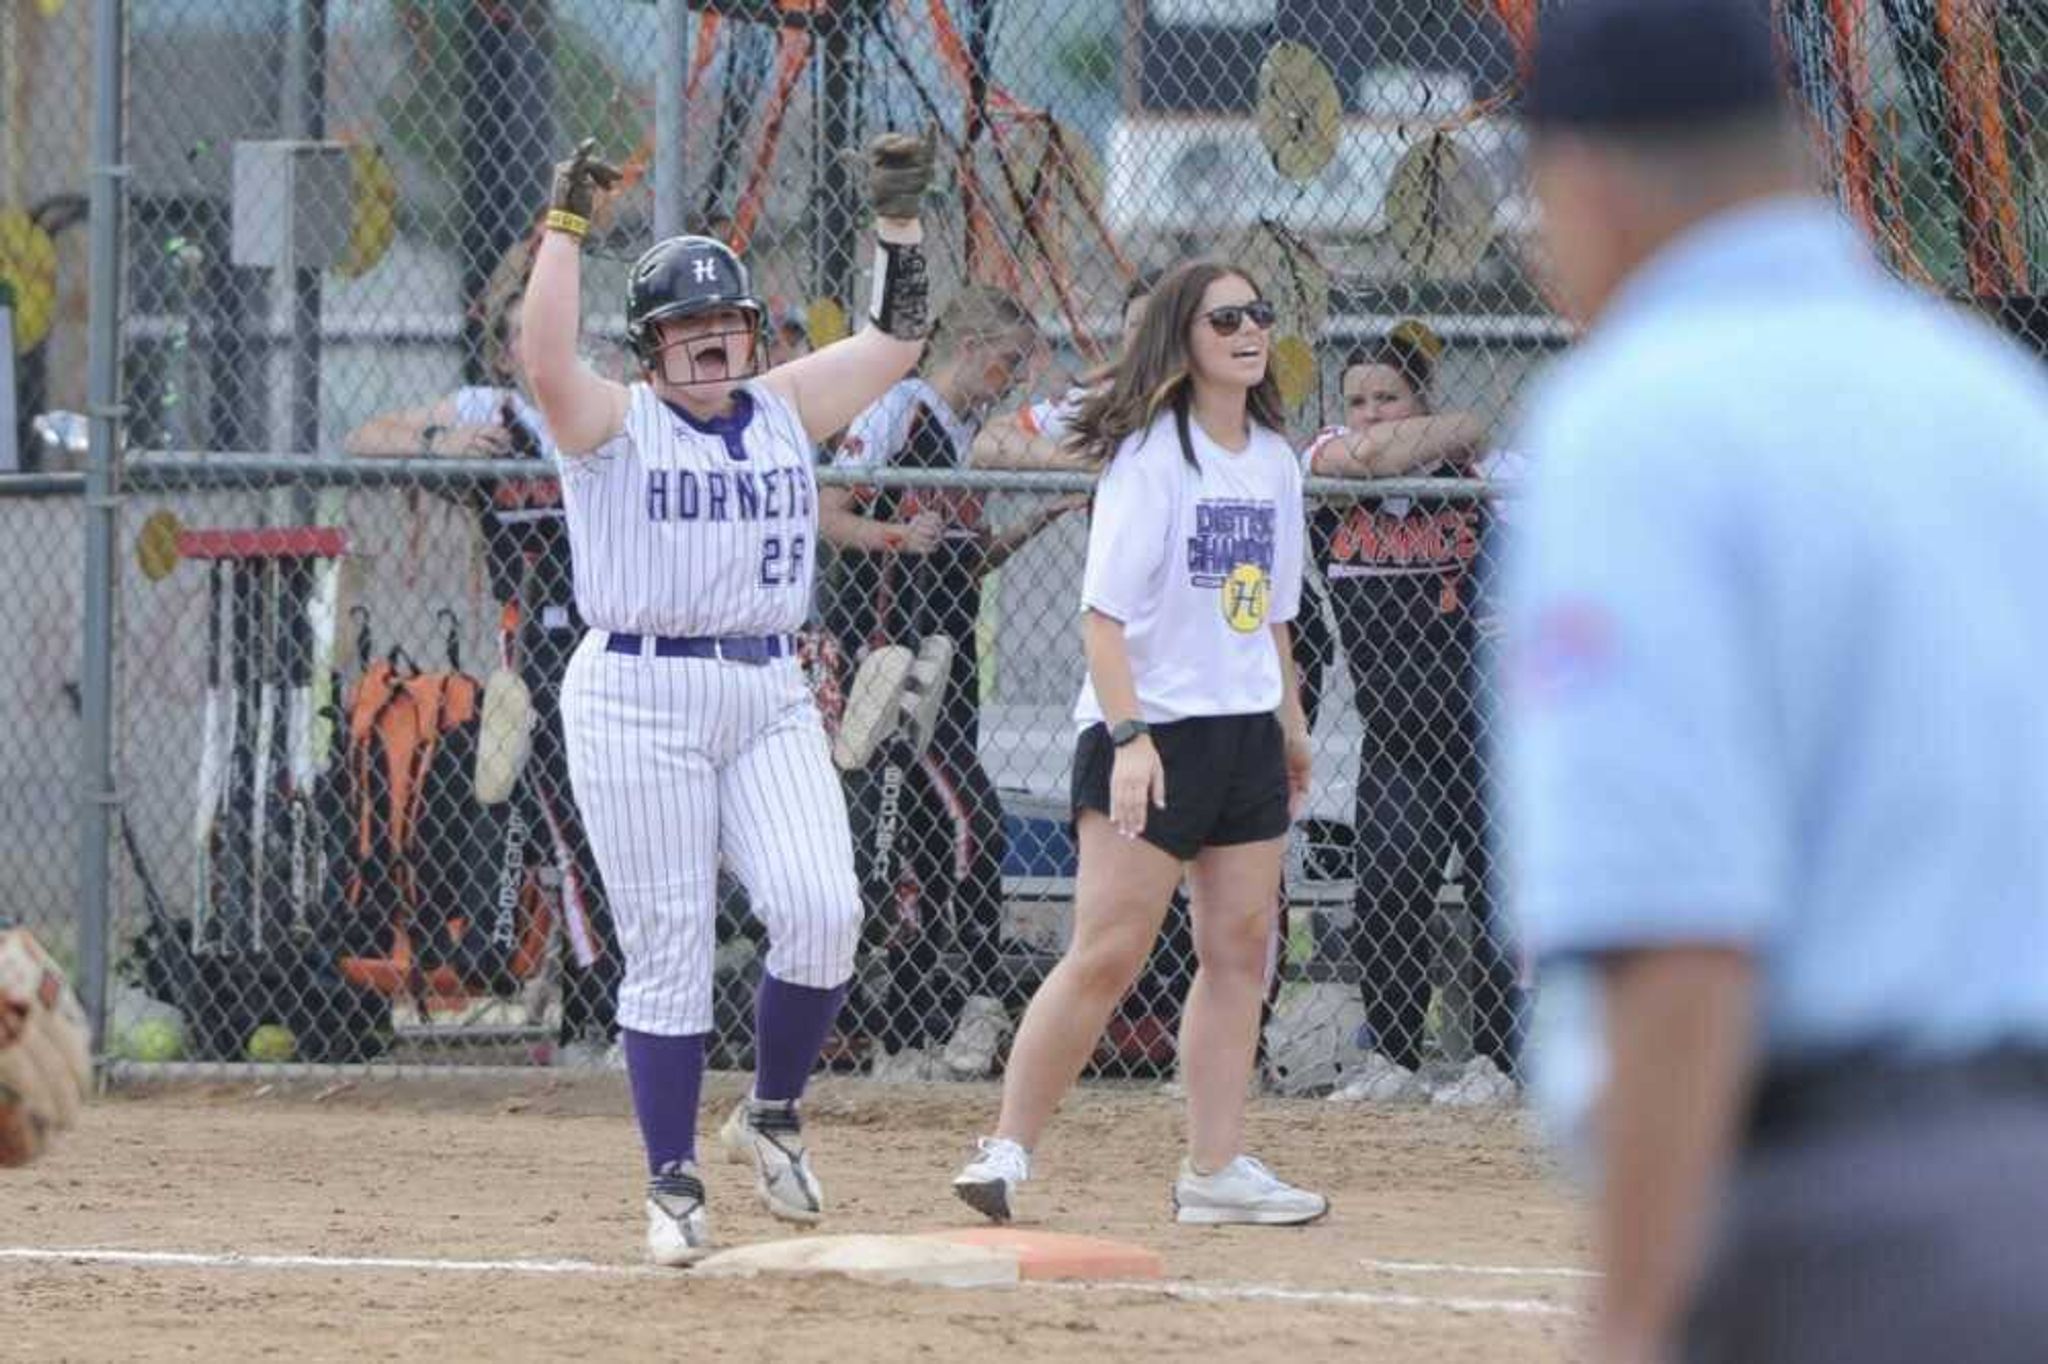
point(693, 740)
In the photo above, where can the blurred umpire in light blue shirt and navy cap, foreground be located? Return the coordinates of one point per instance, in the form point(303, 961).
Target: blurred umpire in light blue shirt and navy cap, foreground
point(1777, 732)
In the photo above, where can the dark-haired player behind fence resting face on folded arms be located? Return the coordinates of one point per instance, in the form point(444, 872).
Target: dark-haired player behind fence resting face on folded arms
point(1402, 583)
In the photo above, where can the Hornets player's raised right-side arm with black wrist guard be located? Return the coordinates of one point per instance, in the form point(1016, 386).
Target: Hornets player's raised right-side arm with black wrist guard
point(833, 386)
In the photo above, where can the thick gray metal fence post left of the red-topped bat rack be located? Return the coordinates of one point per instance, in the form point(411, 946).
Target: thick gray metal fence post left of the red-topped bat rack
point(103, 409)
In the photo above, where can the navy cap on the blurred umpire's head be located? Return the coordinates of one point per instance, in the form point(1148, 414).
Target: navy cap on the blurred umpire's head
point(1652, 65)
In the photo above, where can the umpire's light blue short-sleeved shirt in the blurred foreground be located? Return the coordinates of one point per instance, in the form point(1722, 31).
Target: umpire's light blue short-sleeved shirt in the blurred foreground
point(1779, 642)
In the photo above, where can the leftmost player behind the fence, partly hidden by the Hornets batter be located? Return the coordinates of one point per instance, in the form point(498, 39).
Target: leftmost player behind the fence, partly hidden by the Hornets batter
point(527, 564)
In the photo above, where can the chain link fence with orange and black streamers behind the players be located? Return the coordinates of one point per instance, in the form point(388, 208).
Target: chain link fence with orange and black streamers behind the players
point(341, 548)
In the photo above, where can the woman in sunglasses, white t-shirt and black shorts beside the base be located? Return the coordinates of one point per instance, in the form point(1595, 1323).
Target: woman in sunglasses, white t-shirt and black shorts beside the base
point(1193, 753)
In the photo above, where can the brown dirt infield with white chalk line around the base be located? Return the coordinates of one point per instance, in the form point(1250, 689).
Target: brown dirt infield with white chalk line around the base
point(503, 1173)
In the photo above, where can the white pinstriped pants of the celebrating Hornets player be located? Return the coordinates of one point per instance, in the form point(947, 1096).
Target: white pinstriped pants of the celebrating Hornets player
point(679, 763)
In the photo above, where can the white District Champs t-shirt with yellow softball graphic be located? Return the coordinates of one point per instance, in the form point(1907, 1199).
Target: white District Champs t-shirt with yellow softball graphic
point(1197, 562)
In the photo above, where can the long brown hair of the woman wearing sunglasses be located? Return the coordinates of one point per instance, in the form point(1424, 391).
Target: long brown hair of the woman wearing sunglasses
point(1156, 372)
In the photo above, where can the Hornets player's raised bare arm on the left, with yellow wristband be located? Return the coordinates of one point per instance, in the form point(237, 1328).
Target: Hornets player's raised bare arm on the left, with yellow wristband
point(583, 409)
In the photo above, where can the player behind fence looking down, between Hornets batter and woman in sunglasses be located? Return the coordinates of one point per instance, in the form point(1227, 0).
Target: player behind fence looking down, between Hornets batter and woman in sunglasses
point(916, 577)
